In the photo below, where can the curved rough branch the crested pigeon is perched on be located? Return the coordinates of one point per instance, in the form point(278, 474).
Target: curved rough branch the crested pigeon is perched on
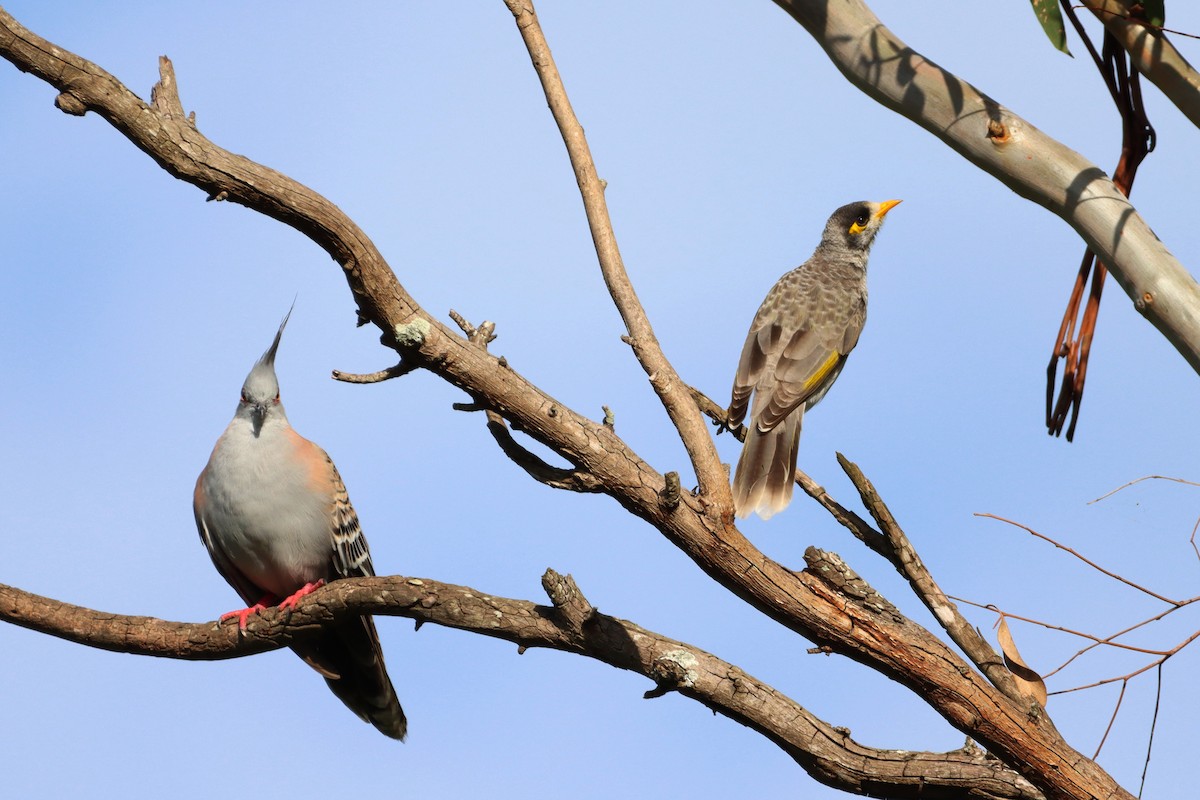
point(572, 625)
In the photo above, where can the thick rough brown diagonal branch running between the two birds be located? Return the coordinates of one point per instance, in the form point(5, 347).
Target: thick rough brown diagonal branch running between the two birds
point(801, 601)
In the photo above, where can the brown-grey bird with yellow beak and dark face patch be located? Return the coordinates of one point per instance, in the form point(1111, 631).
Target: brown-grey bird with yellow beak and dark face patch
point(797, 346)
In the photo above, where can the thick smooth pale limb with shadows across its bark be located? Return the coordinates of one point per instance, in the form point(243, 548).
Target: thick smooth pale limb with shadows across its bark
point(1017, 154)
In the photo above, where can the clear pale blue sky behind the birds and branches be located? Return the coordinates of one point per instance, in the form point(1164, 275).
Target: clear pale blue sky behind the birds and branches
point(131, 311)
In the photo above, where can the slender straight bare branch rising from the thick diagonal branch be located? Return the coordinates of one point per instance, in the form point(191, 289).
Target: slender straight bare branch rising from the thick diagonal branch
point(671, 390)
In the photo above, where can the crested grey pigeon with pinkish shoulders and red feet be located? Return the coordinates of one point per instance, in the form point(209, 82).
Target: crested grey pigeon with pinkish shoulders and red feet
point(275, 516)
